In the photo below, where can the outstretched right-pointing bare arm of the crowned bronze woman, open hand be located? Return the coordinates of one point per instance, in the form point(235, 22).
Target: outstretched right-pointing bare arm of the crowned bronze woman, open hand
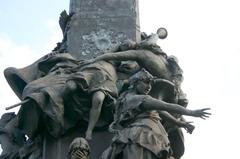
point(154, 104)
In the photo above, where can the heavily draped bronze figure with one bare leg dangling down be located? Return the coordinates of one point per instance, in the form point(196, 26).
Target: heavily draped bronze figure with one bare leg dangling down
point(70, 91)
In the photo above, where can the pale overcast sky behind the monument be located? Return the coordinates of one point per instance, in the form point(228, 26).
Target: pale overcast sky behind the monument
point(203, 34)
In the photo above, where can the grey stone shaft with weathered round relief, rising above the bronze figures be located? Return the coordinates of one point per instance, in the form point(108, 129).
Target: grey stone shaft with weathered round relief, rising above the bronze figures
point(99, 26)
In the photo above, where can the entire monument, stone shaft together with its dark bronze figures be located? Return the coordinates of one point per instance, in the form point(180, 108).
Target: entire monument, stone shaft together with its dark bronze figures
point(107, 90)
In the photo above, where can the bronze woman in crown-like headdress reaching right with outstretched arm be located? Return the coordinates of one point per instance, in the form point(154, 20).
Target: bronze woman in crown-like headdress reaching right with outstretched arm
point(140, 133)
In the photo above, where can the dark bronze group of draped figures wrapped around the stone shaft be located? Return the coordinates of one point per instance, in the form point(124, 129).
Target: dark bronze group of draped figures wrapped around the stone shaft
point(134, 92)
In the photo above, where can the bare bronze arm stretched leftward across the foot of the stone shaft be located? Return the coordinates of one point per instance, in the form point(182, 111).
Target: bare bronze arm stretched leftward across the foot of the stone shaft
point(132, 55)
